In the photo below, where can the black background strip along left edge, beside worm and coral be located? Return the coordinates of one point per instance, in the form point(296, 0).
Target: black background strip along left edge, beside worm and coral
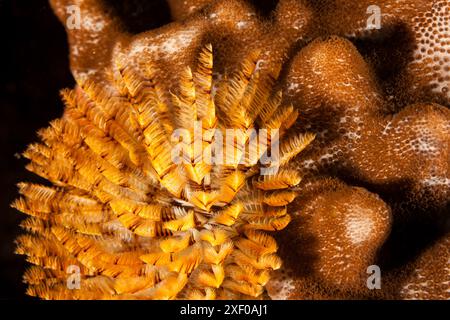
point(34, 68)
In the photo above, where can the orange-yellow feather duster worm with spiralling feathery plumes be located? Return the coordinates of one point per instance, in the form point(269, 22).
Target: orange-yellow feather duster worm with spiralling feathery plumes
point(134, 223)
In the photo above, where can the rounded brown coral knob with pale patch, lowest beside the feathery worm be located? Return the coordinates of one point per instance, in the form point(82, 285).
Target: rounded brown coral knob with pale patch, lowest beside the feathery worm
point(353, 224)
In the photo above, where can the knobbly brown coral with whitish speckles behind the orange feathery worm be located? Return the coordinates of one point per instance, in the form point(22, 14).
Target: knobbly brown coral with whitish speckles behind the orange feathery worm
point(377, 177)
